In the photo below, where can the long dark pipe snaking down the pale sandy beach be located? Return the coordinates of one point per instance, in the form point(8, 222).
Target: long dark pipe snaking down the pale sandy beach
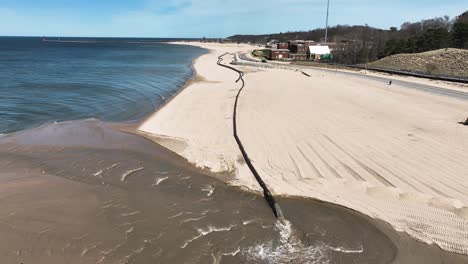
point(266, 192)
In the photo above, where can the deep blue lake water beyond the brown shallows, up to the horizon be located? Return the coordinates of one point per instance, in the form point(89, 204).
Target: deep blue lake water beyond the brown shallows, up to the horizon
point(106, 79)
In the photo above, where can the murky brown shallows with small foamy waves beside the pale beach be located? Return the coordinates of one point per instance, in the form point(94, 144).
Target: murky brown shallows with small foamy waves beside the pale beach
point(81, 192)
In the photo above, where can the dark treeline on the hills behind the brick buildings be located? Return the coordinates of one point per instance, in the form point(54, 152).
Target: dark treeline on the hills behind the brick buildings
point(361, 44)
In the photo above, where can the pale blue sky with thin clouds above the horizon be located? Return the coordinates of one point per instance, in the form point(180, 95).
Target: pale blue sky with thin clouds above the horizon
point(210, 18)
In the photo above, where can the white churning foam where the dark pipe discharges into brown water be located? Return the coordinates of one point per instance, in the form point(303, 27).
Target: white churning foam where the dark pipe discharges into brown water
point(288, 249)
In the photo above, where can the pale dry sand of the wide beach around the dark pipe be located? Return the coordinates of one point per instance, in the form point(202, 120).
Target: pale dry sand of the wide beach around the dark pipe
point(391, 153)
